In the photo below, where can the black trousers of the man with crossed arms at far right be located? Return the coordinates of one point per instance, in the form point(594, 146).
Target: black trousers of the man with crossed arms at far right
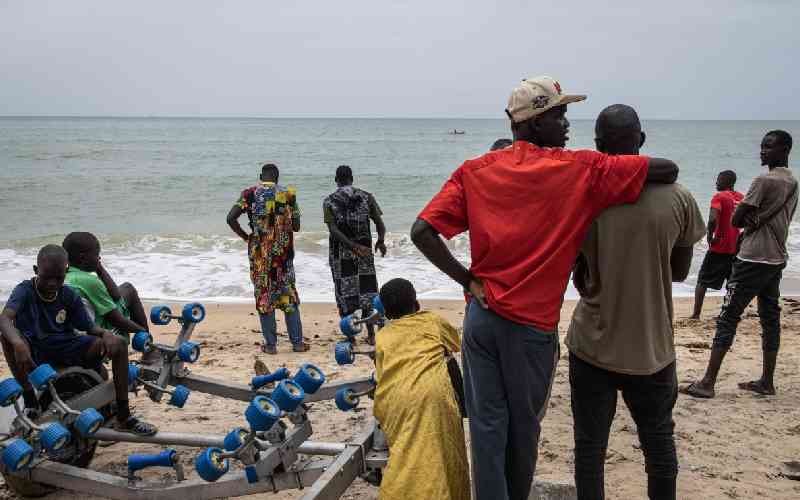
point(749, 280)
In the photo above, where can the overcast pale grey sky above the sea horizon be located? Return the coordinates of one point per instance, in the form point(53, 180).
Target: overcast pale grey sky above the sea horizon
point(716, 59)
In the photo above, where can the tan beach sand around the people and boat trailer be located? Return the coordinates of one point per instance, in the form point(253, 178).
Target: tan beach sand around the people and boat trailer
point(733, 446)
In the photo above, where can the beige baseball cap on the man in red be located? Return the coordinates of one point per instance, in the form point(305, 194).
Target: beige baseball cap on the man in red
point(536, 95)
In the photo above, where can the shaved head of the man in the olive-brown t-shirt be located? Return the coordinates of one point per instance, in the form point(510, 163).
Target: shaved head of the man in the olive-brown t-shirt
point(618, 130)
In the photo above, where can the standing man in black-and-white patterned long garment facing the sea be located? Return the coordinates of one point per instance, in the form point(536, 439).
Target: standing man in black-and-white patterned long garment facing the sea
point(347, 213)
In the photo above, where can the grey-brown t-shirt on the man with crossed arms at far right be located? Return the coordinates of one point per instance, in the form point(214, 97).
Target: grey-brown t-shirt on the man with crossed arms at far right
point(774, 195)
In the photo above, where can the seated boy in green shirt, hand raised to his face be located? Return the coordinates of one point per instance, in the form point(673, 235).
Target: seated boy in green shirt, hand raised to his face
point(118, 309)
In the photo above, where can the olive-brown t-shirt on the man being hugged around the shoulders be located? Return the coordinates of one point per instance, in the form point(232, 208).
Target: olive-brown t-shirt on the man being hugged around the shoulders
point(623, 323)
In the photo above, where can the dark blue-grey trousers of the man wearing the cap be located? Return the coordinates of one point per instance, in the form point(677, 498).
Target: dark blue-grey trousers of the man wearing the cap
point(508, 373)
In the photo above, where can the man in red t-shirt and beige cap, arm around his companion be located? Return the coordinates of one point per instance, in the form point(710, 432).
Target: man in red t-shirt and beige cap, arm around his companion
point(527, 209)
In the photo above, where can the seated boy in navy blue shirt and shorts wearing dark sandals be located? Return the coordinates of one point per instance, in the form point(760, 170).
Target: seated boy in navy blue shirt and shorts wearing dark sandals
point(38, 326)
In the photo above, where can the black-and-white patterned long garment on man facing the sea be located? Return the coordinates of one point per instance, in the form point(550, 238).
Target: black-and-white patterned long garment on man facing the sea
point(354, 279)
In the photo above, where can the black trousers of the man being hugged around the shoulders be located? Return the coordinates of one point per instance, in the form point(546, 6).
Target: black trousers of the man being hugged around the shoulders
point(650, 399)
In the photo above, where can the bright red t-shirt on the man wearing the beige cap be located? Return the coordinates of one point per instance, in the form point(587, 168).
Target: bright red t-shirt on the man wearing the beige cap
point(527, 210)
